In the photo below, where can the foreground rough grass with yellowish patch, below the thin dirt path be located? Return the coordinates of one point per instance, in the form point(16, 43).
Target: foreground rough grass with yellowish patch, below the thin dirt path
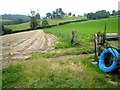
point(55, 73)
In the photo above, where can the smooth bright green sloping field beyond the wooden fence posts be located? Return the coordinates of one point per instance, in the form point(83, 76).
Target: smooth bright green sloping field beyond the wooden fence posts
point(88, 27)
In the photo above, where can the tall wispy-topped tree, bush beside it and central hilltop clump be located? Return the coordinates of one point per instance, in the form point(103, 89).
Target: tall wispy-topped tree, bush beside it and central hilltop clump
point(36, 21)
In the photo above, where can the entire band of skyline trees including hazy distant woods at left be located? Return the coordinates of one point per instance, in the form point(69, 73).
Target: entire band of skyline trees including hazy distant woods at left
point(36, 21)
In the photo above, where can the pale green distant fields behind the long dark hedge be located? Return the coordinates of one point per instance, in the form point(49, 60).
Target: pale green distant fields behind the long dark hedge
point(50, 21)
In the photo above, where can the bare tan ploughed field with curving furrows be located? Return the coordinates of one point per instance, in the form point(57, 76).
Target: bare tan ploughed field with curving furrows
point(23, 43)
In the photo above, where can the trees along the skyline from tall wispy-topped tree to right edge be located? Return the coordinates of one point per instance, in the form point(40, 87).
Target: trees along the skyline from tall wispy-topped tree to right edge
point(59, 13)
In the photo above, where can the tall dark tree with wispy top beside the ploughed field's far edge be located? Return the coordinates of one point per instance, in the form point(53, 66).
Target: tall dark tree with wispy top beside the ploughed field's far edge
point(34, 20)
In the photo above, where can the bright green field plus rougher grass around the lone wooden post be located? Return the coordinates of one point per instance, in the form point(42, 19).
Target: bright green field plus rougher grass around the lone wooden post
point(84, 30)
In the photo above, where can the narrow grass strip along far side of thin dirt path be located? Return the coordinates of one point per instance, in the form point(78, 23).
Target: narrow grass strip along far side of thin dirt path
point(63, 52)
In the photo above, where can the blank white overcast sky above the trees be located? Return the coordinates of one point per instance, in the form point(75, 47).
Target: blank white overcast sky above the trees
point(75, 6)
